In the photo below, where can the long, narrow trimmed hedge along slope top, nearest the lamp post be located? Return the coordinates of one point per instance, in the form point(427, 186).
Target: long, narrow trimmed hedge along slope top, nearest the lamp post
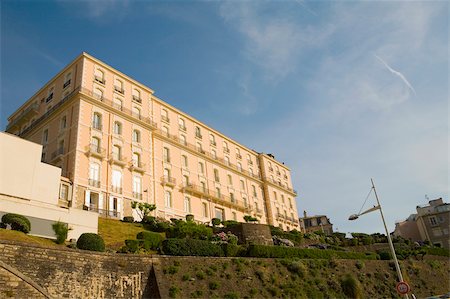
point(290, 252)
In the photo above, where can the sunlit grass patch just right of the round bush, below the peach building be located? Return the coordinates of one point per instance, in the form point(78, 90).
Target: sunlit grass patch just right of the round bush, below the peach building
point(115, 232)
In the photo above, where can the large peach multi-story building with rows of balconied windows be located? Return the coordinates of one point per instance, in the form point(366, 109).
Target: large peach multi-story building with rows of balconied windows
point(117, 142)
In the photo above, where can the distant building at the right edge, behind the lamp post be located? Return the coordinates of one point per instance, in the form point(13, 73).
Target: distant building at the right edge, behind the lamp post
point(431, 223)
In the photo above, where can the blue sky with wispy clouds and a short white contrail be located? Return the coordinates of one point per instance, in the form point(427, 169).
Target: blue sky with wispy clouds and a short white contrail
point(340, 91)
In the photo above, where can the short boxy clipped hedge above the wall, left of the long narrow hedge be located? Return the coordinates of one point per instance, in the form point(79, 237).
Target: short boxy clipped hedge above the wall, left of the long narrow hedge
point(191, 247)
